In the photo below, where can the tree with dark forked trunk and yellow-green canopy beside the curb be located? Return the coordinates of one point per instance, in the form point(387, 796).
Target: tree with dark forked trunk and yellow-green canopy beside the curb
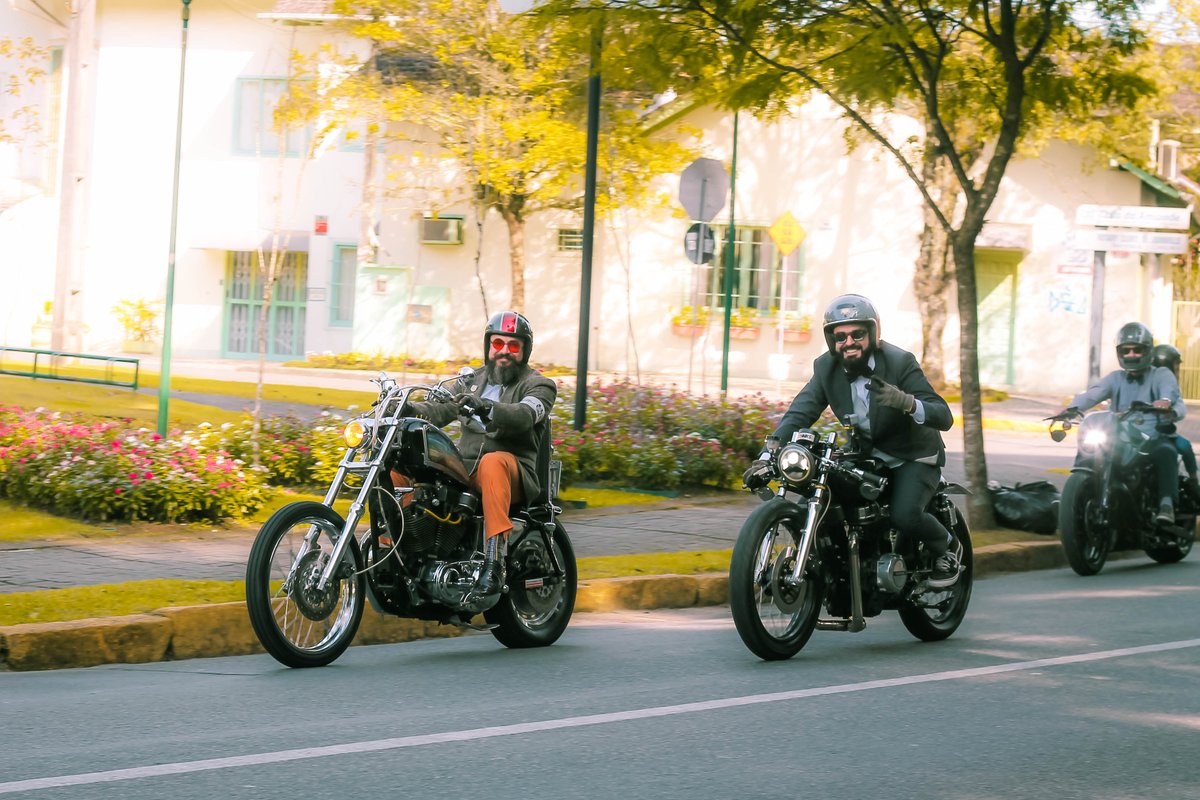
point(982, 76)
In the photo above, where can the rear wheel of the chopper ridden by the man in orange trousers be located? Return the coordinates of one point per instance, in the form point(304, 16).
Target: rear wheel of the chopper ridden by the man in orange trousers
point(537, 609)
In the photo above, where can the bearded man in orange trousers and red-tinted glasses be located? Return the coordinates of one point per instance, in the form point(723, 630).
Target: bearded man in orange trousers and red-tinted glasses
point(503, 406)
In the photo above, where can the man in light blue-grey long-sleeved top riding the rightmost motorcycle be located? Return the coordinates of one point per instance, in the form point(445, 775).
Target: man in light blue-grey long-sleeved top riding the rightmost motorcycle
point(1138, 380)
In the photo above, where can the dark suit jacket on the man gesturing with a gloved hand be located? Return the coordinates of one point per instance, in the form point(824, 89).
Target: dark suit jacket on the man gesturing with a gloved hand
point(892, 431)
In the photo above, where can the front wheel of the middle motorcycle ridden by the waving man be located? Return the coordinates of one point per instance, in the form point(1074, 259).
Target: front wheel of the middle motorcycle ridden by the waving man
point(773, 616)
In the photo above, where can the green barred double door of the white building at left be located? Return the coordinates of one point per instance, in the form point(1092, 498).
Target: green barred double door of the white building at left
point(244, 308)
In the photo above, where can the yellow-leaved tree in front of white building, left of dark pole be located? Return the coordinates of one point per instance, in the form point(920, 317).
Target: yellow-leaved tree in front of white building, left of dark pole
point(488, 110)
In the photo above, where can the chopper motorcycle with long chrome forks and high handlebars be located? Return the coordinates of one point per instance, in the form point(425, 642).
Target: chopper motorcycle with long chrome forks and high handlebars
point(310, 572)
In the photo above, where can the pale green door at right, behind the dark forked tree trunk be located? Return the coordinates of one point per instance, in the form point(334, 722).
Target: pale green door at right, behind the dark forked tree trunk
point(997, 291)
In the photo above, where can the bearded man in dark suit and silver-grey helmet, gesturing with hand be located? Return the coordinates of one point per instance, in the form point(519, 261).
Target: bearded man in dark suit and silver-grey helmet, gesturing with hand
point(881, 392)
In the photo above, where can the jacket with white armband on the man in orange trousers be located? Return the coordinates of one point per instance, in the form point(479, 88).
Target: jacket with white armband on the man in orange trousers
point(518, 423)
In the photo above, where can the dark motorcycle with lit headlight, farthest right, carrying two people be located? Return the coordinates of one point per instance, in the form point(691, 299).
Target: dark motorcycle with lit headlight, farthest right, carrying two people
point(1111, 498)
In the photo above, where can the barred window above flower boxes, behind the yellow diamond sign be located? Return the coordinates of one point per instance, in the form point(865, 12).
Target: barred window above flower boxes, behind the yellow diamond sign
point(763, 280)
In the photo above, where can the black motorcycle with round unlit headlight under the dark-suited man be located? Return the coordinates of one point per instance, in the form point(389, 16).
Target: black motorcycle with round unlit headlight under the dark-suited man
point(833, 546)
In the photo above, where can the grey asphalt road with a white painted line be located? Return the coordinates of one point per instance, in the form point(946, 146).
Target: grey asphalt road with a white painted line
point(1057, 687)
